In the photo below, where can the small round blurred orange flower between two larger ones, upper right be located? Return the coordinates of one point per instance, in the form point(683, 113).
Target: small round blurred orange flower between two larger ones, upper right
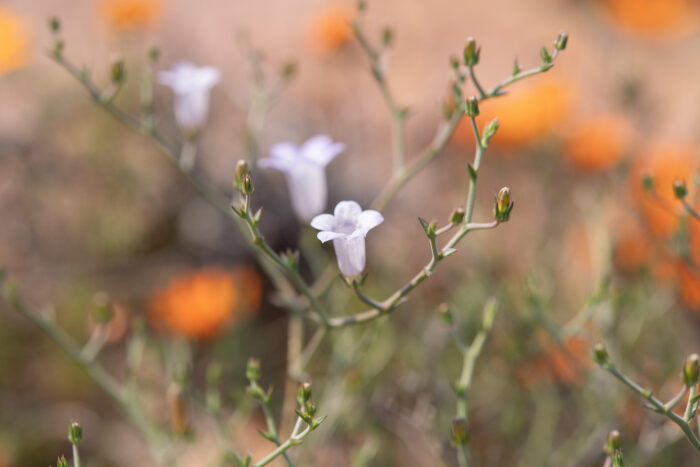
point(598, 143)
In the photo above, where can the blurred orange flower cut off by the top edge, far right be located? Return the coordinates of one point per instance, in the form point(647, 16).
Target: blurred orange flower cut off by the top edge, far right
point(654, 17)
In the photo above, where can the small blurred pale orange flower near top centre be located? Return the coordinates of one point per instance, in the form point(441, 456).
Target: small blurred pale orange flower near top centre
point(330, 28)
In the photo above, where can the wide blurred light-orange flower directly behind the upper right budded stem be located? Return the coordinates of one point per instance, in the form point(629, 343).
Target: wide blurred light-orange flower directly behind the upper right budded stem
point(527, 114)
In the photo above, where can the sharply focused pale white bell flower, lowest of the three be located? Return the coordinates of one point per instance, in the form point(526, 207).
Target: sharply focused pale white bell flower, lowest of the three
point(347, 227)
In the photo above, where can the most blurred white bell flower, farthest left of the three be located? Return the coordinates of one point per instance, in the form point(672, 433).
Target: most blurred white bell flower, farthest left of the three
point(191, 85)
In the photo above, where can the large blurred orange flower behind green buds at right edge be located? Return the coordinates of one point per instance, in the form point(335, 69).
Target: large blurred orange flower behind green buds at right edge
point(664, 164)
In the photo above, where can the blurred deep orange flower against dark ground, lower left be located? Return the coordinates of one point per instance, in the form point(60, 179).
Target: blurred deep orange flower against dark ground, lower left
point(202, 303)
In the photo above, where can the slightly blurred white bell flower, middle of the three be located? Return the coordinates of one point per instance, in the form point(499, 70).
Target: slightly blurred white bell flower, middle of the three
point(305, 168)
